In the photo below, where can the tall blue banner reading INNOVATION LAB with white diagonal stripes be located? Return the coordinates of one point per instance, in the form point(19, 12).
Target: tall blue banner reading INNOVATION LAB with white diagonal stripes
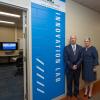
point(48, 41)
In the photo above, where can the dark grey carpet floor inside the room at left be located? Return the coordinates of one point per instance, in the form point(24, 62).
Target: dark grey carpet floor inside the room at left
point(11, 87)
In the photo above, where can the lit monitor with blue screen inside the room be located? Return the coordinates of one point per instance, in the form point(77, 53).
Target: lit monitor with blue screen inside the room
point(9, 46)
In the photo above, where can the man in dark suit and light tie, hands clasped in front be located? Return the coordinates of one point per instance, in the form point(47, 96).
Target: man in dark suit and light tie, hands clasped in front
point(73, 60)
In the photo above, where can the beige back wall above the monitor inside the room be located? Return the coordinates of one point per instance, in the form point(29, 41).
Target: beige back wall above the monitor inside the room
point(10, 34)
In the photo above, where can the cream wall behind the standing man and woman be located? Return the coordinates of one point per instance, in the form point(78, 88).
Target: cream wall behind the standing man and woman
point(83, 22)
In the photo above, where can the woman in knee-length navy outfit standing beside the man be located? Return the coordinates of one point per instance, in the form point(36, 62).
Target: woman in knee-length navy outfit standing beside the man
point(90, 61)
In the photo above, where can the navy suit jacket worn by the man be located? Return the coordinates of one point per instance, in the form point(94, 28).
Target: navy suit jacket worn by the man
point(70, 59)
